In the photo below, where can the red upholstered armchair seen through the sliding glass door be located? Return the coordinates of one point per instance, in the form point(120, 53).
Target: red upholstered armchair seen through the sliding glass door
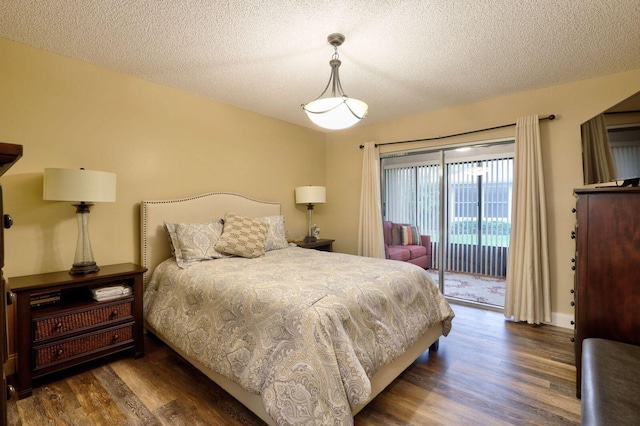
point(394, 249)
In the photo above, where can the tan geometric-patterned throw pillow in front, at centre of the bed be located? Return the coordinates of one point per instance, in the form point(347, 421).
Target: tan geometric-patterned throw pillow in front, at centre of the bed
point(242, 236)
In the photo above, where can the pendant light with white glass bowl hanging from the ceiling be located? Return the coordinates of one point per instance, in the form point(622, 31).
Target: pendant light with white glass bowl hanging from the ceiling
point(338, 111)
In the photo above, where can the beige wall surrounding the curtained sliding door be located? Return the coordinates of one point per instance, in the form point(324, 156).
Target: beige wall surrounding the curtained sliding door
point(572, 103)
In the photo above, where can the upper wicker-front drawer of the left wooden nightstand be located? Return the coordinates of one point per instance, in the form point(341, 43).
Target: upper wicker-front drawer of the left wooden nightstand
point(44, 328)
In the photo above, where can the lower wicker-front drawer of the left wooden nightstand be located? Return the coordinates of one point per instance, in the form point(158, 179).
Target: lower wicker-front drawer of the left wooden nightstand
point(67, 349)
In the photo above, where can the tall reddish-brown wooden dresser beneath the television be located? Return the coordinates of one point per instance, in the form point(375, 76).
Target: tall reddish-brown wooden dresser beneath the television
point(607, 281)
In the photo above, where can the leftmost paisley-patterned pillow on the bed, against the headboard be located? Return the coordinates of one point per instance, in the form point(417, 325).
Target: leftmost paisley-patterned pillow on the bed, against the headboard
point(194, 242)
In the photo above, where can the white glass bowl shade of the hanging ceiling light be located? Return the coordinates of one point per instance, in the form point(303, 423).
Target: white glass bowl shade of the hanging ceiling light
point(336, 113)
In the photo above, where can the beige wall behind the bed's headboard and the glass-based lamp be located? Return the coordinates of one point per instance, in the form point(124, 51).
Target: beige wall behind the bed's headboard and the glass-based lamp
point(160, 142)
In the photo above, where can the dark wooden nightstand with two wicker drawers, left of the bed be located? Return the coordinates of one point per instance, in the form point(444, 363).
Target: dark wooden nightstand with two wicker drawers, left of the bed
point(69, 327)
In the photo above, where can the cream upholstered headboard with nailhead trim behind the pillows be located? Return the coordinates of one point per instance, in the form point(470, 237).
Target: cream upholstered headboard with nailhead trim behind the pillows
point(200, 208)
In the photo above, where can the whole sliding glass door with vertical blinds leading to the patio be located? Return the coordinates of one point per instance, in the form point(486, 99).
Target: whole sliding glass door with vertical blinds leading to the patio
point(461, 198)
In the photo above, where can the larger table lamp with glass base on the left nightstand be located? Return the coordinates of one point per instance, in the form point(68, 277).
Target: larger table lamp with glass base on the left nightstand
point(85, 187)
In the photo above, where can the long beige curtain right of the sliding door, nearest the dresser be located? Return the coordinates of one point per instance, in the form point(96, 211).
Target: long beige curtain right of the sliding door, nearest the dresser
point(527, 296)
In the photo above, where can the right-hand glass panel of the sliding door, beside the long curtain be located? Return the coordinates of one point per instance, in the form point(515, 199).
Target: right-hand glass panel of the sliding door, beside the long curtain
point(478, 208)
